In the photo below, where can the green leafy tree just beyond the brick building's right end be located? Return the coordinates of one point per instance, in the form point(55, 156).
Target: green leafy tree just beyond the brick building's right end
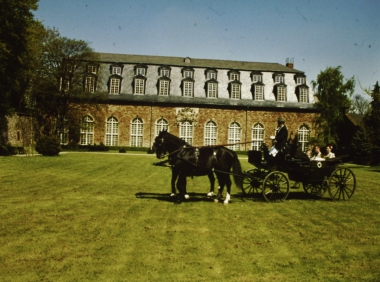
point(332, 92)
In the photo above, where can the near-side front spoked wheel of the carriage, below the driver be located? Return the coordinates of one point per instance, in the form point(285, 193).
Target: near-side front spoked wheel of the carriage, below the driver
point(276, 187)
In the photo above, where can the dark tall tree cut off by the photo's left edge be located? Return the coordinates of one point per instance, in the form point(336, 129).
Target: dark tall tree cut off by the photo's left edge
point(15, 19)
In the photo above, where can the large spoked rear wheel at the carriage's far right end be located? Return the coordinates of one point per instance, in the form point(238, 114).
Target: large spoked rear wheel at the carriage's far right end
point(342, 184)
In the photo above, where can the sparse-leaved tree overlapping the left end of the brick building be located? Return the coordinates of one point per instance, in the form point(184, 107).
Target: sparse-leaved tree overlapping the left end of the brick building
point(58, 87)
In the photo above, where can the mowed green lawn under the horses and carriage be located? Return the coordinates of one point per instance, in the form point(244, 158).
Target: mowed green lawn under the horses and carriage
point(107, 217)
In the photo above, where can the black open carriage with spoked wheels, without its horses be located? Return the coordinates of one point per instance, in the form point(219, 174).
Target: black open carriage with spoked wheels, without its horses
point(272, 175)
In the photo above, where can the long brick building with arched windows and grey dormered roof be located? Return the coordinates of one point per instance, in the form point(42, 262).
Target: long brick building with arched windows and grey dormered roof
point(205, 102)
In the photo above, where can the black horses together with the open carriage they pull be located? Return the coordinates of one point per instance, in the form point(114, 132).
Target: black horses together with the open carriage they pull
point(271, 175)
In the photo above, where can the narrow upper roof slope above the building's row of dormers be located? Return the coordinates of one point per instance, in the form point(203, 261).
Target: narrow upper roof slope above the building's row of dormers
point(201, 63)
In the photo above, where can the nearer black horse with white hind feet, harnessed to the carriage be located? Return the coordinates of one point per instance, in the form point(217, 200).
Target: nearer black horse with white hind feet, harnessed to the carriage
point(193, 161)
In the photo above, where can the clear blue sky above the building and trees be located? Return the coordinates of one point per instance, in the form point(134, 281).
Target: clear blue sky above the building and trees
point(316, 34)
